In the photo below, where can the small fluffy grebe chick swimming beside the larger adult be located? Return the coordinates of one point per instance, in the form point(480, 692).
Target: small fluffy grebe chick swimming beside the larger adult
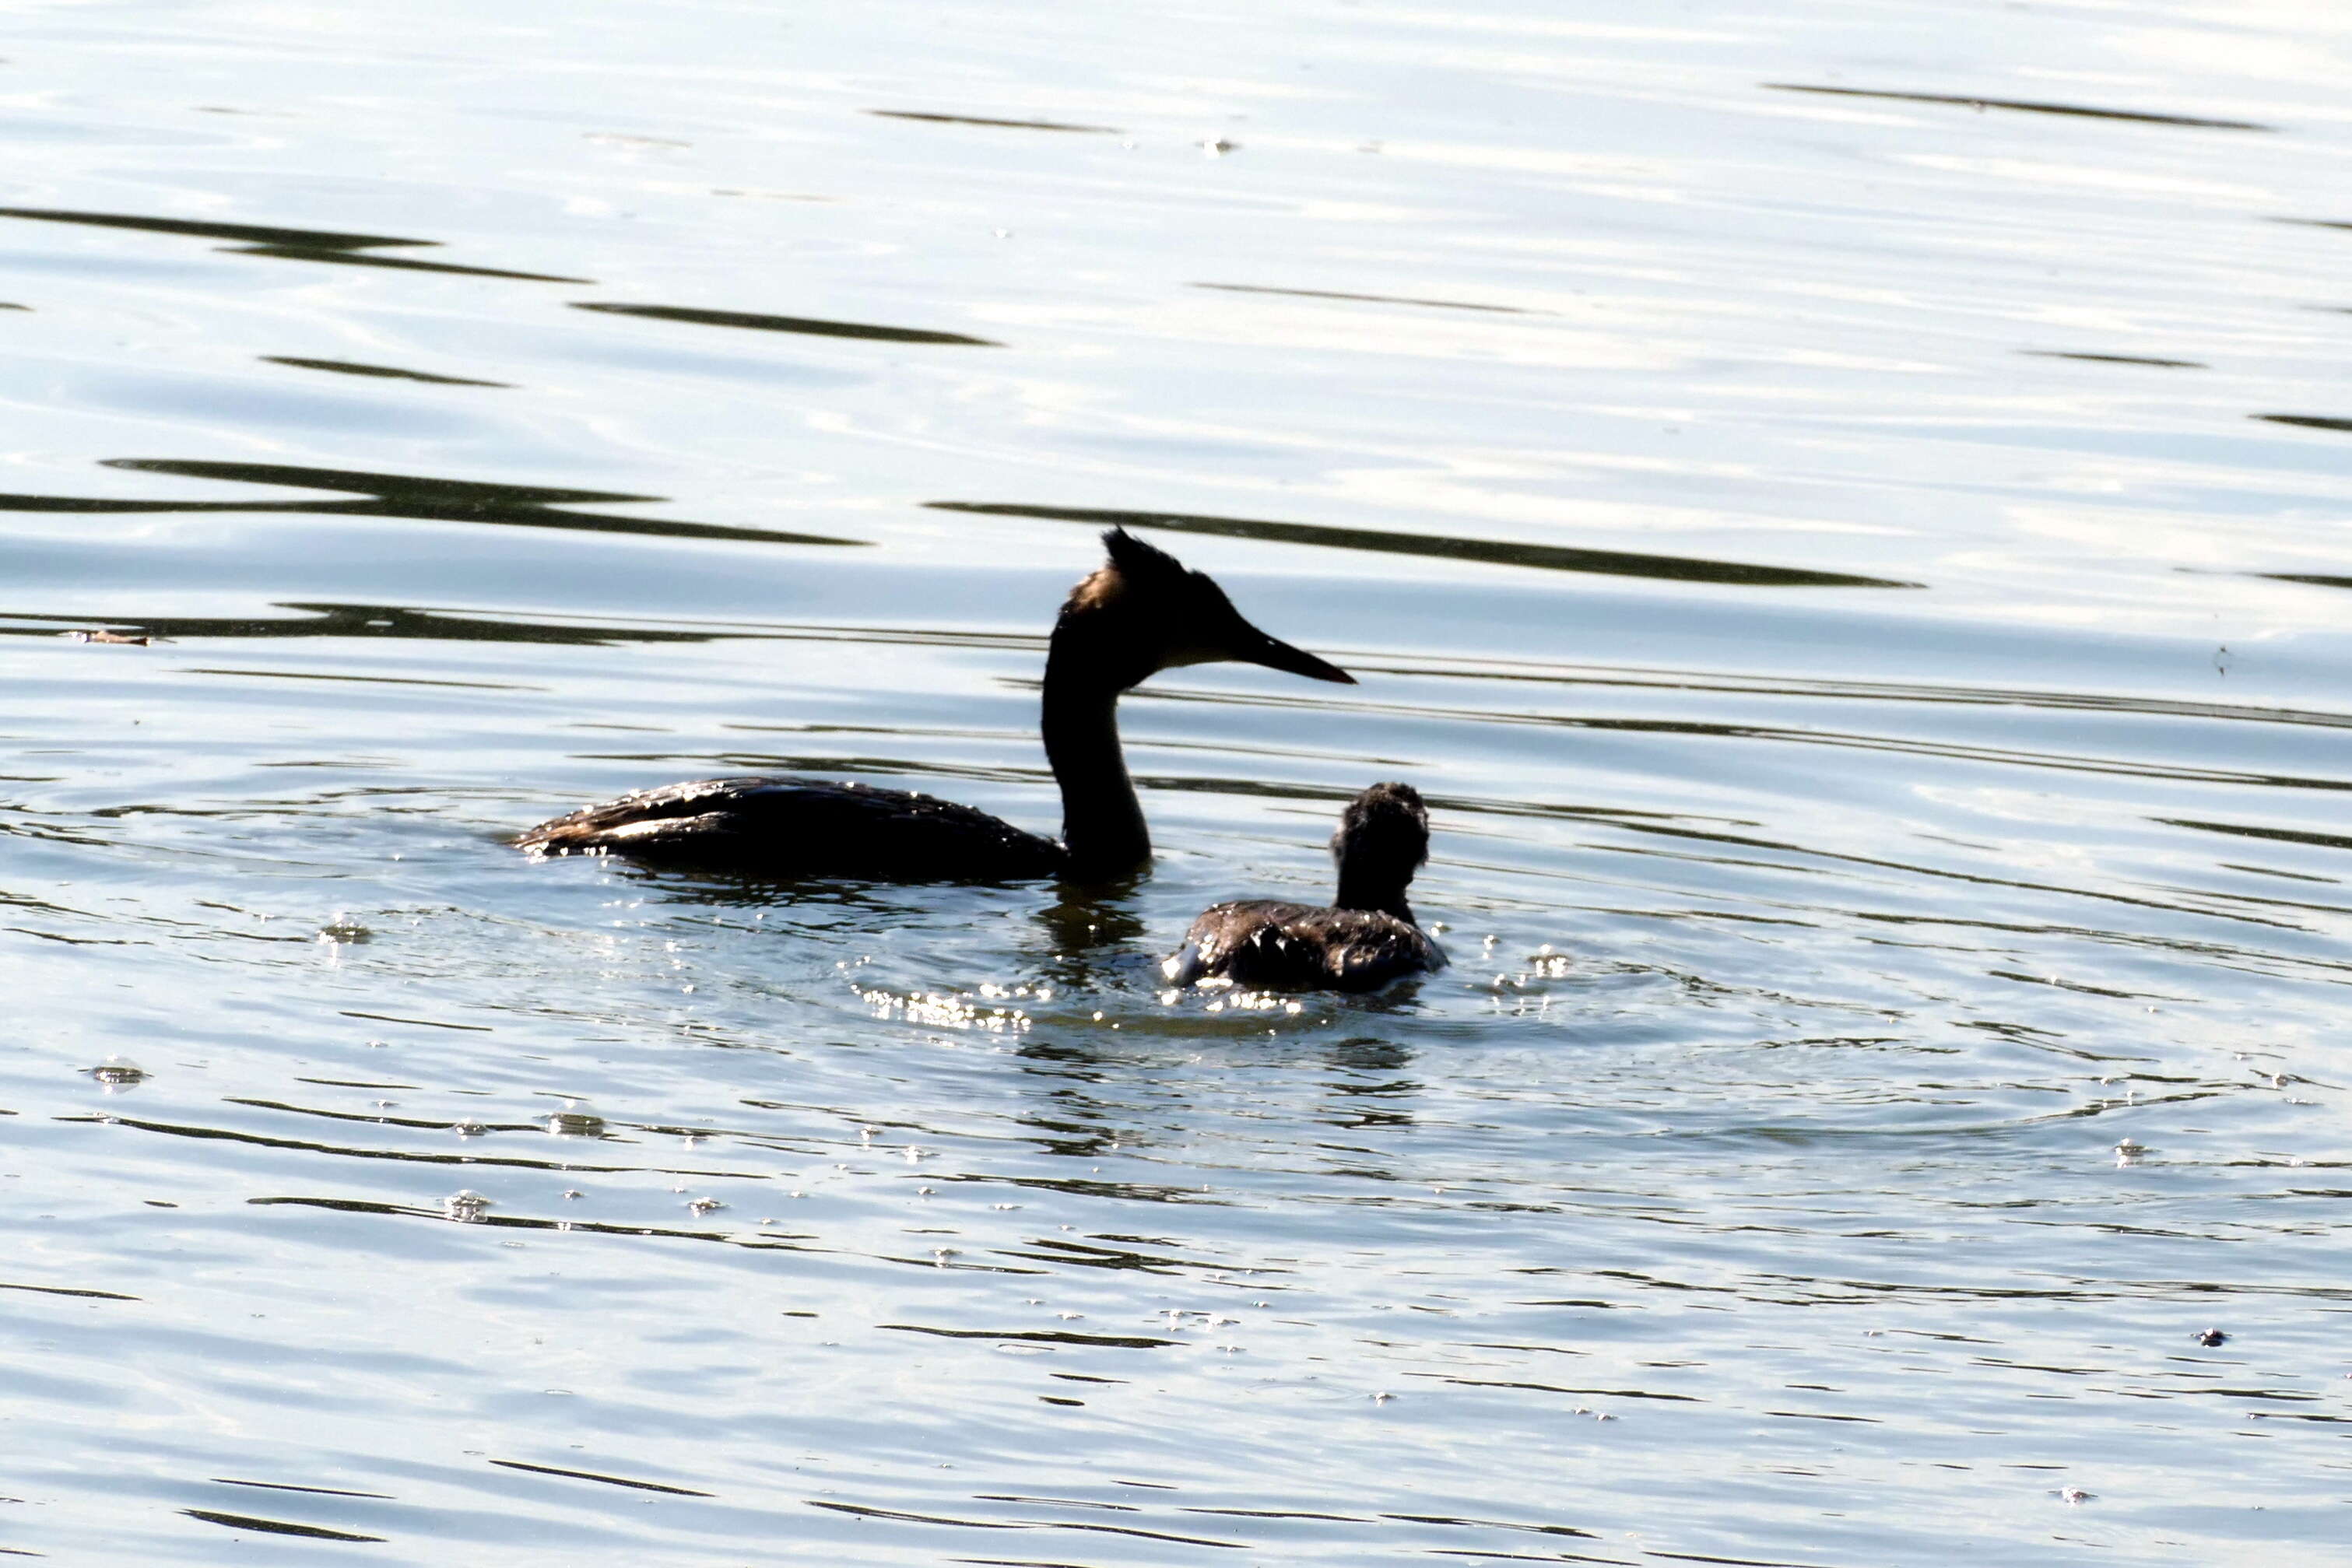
point(1358, 944)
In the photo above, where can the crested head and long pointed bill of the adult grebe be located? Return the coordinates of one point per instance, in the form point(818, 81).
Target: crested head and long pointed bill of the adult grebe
point(1147, 612)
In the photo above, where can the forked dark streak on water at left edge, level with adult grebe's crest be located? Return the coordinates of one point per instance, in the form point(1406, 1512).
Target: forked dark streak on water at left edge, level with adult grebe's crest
point(417, 497)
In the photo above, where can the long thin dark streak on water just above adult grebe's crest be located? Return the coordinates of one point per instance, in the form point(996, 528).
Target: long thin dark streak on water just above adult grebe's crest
point(1492, 551)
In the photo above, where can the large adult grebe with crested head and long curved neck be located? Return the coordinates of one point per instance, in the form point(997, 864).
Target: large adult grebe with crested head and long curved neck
point(1142, 612)
